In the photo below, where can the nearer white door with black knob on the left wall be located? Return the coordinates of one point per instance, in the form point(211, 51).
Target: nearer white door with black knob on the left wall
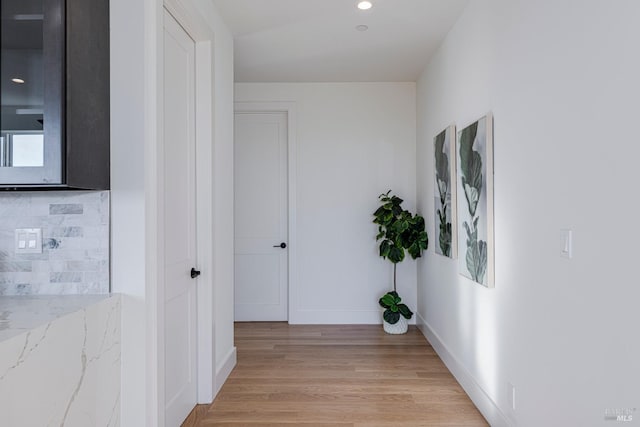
point(179, 213)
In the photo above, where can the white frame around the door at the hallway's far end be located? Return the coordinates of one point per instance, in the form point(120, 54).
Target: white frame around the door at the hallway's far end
point(289, 108)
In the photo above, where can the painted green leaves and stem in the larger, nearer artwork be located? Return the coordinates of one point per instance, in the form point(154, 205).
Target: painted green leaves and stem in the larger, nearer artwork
point(471, 168)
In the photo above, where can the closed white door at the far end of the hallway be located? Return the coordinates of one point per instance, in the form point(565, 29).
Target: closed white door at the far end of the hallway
point(261, 272)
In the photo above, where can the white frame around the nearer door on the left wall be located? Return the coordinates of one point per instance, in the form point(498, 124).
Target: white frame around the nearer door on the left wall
point(195, 26)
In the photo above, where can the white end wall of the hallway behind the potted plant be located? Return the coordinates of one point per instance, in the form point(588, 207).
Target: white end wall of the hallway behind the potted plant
point(354, 141)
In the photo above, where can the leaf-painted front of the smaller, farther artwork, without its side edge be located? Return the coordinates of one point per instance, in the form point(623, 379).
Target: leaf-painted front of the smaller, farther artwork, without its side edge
point(443, 191)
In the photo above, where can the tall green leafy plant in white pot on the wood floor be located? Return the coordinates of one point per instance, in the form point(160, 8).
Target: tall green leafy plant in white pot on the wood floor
point(399, 231)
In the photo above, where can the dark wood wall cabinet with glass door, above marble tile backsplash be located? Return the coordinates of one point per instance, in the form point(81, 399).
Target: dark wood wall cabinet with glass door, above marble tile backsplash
point(55, 94)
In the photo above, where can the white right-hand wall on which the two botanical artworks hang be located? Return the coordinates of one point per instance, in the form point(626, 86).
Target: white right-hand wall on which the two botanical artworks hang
point(561, 78)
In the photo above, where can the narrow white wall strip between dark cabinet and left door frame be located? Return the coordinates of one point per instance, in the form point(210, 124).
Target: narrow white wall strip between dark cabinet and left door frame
point(128, 246)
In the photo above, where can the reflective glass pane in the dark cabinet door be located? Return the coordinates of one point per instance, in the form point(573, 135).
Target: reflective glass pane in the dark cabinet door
point(21, 83)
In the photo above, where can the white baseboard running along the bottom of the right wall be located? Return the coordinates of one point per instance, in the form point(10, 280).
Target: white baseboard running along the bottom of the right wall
point(479, 397)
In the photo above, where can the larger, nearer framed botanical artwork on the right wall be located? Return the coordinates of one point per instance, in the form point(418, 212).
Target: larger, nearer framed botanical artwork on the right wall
point(475, 201)
